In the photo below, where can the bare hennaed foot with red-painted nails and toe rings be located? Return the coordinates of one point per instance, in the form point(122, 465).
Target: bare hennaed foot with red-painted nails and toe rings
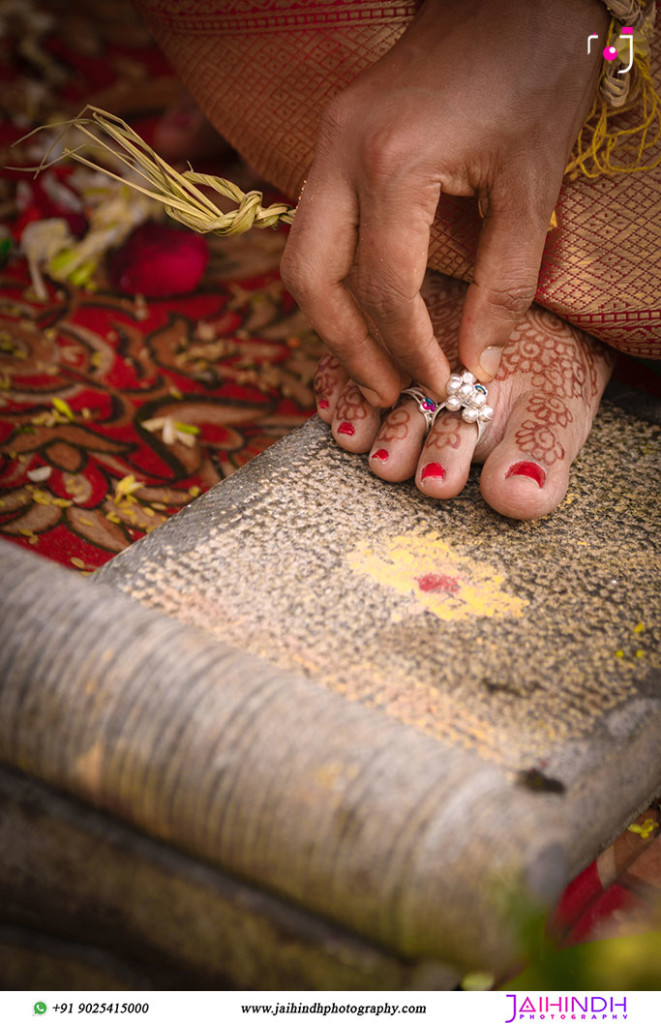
point(545, 398)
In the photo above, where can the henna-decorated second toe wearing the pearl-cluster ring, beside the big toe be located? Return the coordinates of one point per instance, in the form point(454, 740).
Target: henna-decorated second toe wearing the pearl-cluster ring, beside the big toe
point(446, 460)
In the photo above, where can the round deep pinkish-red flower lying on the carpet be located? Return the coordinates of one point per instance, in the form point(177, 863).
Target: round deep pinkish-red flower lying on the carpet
point(158, 261)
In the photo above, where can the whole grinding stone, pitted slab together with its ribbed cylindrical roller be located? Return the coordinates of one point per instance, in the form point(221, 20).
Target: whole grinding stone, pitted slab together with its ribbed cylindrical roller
point(393, 714)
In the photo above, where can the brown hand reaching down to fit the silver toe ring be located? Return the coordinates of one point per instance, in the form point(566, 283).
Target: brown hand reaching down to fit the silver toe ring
point(481, 99)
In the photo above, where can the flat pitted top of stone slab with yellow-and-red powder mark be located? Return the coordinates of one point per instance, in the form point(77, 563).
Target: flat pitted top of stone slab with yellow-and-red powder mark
point(533, 645)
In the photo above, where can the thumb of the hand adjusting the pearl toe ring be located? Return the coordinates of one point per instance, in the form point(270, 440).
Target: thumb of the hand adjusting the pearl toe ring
point(507, 269)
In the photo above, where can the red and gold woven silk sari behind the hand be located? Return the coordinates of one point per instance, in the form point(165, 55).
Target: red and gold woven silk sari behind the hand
point(270, 68)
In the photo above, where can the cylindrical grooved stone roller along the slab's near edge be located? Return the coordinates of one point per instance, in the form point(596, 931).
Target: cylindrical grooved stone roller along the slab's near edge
point(363, 823)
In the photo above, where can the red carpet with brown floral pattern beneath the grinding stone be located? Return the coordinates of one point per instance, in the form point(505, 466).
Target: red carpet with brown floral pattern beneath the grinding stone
point(116, 410)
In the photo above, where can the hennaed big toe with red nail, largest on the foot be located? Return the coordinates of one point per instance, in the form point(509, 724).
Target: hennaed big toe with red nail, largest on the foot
point(527, 475)
